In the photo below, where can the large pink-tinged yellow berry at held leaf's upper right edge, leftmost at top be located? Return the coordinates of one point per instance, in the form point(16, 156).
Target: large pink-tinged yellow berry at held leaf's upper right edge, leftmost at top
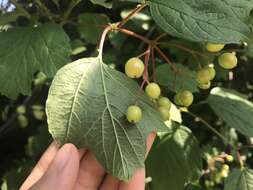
point(134, 67)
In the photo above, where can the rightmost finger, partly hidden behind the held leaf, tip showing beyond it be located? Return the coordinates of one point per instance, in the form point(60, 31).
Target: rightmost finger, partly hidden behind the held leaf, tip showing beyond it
point(138, 180)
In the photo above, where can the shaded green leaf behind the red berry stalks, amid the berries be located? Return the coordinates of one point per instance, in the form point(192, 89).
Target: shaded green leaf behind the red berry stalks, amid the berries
point(176, 81)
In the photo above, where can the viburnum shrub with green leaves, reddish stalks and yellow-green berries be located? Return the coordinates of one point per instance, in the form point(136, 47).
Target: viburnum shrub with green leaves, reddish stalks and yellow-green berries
point(120, 70)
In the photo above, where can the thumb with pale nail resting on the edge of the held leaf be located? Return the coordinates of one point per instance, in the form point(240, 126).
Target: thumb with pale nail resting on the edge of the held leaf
point(63, 171)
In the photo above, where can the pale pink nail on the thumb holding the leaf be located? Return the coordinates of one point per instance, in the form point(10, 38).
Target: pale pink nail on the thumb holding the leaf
point(63, 156)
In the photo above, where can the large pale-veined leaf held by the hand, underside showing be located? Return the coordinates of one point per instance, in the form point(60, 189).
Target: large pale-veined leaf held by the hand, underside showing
point(86, 106)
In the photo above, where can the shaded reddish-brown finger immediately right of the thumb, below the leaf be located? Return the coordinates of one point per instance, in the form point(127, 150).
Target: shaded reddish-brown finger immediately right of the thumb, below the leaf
point(91, 173)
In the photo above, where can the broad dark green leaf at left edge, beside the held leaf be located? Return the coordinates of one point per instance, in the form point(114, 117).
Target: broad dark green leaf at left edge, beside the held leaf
point(23, 51)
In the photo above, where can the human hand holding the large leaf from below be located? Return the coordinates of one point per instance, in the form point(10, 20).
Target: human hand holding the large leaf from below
point(70, 169)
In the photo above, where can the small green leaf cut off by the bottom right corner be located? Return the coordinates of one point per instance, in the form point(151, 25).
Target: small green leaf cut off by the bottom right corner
point(240, 180)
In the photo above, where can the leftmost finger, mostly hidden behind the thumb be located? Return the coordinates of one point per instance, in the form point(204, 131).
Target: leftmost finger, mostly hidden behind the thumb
point(41, 166)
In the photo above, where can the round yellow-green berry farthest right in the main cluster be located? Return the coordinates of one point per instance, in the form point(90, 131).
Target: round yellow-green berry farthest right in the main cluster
point(228, 60)
